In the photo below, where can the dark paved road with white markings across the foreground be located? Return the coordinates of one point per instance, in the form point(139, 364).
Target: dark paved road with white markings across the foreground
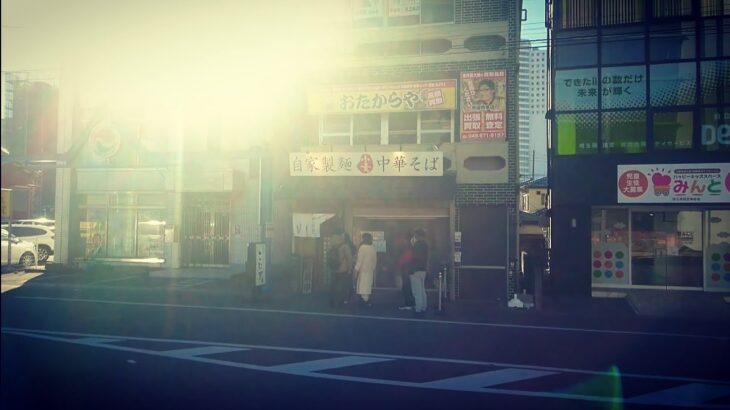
point(101, 342)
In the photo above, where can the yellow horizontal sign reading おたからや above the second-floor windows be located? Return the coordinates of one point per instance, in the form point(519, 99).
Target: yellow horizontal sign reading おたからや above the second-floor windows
point(375, 98)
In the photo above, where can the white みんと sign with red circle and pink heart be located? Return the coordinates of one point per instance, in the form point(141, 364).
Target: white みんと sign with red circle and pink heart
point(674, 183)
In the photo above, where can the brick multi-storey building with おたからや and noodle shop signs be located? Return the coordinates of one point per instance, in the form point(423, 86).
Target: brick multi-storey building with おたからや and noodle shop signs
point(415, 127)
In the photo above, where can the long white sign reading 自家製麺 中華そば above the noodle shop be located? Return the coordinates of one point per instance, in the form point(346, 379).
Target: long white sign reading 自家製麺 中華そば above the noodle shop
point(342, 164)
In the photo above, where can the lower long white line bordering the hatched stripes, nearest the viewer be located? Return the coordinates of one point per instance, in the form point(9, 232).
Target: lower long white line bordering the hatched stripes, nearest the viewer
point(540, 394)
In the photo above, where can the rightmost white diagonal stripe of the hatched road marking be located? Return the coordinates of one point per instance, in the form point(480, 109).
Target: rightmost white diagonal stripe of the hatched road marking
point(687, 395)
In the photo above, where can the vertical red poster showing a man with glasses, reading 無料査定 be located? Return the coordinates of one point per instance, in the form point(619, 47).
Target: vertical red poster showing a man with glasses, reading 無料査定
point(483, 105)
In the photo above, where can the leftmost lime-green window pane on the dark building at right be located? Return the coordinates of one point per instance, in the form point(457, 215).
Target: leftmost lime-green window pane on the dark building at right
point(577, 133)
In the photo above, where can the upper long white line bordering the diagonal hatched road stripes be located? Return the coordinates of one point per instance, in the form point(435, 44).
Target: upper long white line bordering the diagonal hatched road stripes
point(33, 332)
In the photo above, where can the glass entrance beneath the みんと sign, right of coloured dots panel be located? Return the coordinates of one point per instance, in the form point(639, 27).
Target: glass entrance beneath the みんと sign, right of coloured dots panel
point(666, 249)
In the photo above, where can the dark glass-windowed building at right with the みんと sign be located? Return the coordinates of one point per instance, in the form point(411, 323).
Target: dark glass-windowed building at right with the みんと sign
point(640, 144)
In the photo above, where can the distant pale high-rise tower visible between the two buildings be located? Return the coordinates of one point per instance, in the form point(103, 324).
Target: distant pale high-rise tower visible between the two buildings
point(532, 94)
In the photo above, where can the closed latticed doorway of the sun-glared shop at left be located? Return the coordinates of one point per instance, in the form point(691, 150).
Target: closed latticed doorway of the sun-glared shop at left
point(205, 238)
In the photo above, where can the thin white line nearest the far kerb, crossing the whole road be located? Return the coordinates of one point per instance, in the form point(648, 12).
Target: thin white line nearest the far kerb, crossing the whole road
point(370, 317)
